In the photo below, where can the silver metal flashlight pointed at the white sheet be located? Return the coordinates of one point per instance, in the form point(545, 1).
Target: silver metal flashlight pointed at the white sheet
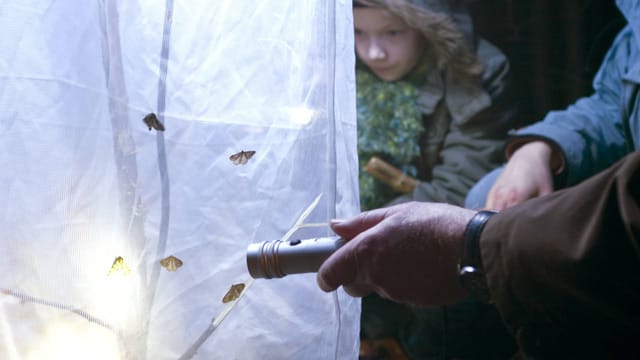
point(276, 259)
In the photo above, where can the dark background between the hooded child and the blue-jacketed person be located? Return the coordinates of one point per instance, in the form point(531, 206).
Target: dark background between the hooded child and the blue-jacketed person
point(555, 46)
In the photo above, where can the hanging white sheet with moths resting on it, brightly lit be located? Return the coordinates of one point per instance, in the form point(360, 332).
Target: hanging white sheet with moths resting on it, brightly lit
point(91, 199)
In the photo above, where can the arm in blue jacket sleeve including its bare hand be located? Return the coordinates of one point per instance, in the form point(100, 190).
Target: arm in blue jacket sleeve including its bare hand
point(578, 142)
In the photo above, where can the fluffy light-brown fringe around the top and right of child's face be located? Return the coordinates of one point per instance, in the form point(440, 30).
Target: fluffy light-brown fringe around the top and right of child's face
point(432, 19)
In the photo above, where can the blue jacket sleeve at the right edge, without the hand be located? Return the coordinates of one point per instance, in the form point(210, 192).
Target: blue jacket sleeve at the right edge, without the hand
point(590, 132)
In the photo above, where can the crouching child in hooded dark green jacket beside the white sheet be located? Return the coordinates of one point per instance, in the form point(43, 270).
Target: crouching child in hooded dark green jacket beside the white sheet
point(428, 103)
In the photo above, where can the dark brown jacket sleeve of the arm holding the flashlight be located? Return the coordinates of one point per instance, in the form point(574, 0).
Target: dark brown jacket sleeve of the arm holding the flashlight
point(564, 269)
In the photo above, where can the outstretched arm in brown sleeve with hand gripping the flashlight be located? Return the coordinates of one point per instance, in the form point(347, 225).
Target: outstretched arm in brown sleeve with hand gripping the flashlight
point(563, 270)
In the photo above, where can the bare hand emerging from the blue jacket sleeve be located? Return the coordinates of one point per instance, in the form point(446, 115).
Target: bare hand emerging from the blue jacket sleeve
point(526, 175)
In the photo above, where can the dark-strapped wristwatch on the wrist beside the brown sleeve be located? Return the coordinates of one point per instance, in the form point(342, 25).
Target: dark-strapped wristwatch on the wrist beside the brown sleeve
point(470, 270)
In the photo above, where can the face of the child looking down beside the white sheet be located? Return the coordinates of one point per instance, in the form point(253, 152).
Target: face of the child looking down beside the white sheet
point(385, 43)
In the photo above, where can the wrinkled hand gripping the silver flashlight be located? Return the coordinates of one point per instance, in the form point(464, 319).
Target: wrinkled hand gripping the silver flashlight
point(406, 253)
